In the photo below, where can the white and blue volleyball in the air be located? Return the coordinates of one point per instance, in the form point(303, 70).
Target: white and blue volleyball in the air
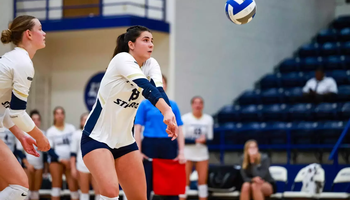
point(240, 11)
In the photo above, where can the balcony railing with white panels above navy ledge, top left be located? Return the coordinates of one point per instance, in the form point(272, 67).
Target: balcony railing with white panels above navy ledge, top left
point(54, 9)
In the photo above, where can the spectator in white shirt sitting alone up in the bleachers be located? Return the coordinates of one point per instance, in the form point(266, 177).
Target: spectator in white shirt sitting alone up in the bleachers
point(320, 88)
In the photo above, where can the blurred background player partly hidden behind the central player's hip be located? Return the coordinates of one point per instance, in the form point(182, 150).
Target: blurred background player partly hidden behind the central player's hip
point(78, 168)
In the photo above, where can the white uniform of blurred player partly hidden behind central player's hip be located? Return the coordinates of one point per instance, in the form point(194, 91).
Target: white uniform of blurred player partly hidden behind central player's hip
point(75, 148)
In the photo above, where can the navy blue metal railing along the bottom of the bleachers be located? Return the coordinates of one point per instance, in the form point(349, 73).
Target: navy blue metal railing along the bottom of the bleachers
point(288, 145)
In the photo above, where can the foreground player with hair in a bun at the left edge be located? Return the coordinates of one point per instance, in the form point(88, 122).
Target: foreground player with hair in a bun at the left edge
point(16, 75)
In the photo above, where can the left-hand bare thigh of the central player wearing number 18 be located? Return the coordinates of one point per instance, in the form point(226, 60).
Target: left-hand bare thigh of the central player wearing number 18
point(100, 163)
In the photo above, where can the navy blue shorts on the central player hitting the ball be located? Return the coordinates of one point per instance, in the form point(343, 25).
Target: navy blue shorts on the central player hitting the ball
point(88, 144)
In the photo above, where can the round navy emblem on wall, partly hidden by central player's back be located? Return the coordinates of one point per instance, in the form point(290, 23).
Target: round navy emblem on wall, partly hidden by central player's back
point(91, 90)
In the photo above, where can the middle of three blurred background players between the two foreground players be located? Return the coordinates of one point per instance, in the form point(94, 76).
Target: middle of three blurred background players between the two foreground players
point(60, 136)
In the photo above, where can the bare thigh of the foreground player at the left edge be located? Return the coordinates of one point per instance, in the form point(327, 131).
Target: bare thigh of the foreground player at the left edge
point(11, 172)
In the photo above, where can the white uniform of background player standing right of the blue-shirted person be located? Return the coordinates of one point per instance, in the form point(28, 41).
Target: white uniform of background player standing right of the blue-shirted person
point(194, 128)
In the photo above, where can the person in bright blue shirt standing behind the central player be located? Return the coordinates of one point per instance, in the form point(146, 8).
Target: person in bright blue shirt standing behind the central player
point(156, 142)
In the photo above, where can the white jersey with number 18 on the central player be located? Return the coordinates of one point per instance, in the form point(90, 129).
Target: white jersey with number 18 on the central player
point(112, 116)
